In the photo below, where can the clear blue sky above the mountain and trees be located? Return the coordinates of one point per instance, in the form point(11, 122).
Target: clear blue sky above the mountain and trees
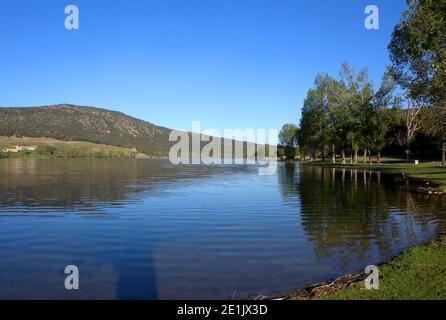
point(228, 63)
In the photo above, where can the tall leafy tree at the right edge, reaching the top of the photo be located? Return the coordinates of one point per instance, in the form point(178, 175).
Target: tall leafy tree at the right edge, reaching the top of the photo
point(418, 53)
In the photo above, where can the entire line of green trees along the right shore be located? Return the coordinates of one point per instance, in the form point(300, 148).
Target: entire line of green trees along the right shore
point(405, 115)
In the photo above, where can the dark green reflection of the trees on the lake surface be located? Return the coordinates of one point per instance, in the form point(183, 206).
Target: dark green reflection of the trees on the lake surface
point(348, 214)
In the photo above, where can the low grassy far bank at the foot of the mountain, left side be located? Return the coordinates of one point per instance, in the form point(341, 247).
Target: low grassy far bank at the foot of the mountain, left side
point(45, 148)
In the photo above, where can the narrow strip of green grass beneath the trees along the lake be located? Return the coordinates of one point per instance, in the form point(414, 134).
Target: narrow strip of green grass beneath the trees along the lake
point(429, 171)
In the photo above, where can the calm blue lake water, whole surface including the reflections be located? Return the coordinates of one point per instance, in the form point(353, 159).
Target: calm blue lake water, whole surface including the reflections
point(145, 229)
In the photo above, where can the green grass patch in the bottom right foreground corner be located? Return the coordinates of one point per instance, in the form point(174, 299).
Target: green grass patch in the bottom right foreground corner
point(418, 274)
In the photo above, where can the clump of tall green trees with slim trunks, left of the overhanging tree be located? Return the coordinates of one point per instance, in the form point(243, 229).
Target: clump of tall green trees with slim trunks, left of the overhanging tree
point(342, 116)
